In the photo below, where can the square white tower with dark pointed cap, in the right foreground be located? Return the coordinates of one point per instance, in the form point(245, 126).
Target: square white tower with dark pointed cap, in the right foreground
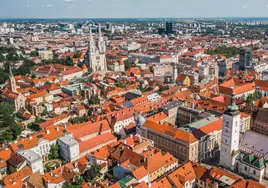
point(230, 135)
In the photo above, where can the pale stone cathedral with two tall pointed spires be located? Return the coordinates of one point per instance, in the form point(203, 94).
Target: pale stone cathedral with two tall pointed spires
point(96, 53)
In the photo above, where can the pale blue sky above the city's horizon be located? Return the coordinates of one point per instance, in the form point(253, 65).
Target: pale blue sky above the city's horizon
point(132, 8)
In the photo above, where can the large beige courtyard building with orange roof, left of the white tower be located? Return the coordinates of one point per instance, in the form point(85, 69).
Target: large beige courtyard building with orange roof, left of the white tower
point(197, 140)
